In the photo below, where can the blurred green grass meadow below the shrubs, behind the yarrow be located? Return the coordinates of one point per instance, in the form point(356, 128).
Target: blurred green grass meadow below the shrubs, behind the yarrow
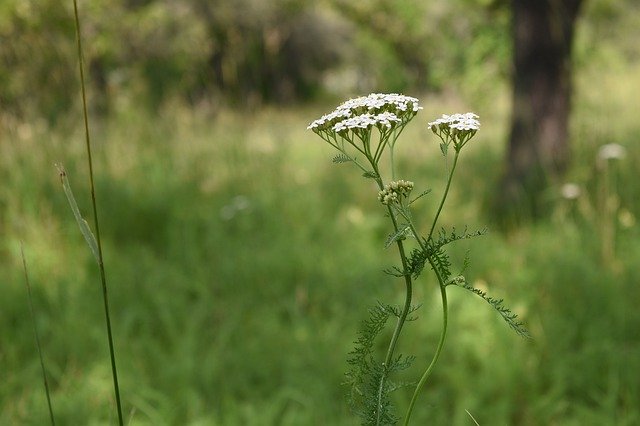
point(241, 262)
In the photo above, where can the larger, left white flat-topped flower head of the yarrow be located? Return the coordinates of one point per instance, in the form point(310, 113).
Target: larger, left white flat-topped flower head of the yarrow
point(363, 113)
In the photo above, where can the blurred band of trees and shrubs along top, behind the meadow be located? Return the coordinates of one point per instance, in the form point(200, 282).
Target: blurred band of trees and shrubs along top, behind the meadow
point(249, 52)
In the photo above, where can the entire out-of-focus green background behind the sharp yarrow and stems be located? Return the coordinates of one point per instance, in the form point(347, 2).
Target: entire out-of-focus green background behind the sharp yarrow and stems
point(241, 261)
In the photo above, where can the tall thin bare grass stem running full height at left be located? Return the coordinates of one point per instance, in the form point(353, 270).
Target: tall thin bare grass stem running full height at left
point(103, 278)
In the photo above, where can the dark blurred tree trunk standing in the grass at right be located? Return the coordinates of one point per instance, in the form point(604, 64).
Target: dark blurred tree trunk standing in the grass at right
point(538, 150)
